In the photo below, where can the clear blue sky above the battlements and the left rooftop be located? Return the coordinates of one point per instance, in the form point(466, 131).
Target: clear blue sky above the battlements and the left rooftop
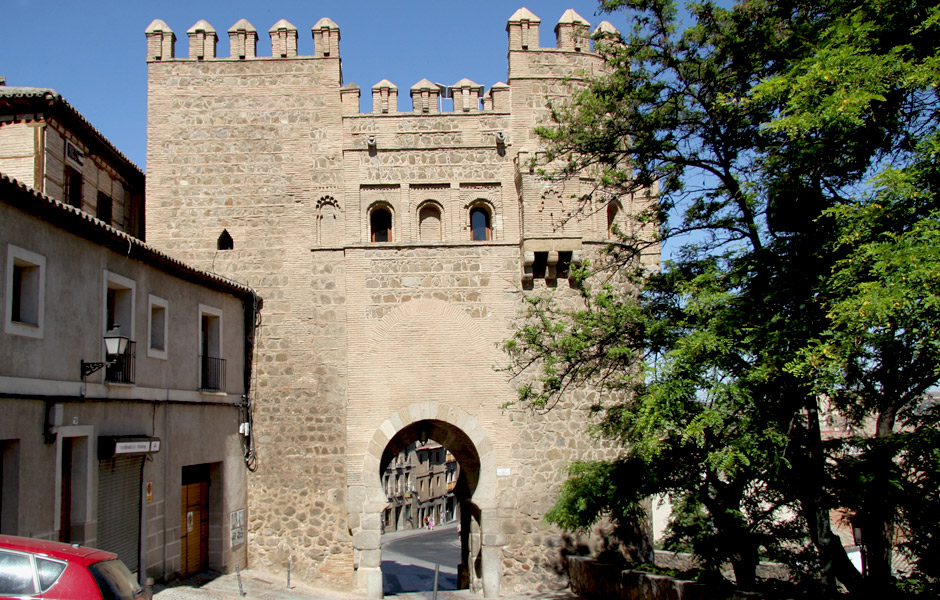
point(93, 52)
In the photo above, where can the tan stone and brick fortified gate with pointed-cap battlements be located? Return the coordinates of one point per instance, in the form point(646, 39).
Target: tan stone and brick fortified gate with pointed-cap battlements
point(394, 251)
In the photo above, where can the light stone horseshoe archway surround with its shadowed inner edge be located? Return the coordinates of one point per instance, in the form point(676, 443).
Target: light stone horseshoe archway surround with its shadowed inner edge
point(464, 437)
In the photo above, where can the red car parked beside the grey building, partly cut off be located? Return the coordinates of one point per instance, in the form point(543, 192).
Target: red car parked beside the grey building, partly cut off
point(39, 569)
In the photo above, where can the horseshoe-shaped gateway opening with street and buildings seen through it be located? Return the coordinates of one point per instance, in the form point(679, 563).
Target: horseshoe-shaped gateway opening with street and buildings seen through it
point(429, 471)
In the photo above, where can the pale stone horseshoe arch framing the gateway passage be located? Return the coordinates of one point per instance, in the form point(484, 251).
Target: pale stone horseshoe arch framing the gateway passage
point(446, 424)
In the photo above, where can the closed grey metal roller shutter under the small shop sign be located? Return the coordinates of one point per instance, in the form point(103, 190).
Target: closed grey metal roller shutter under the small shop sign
point(119, 485)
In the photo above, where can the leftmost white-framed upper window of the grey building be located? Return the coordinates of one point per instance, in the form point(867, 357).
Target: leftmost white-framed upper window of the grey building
point(25, 298)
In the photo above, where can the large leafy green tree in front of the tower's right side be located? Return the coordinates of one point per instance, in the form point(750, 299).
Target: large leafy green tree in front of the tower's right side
point(797, 142)
